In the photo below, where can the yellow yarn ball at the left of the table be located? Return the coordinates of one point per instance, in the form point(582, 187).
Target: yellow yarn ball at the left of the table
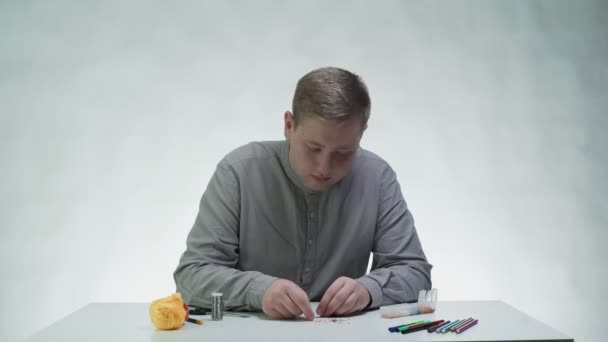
point(168, 313)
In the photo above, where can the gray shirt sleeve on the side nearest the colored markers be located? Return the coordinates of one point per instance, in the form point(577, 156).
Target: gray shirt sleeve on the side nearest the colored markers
point(399, 267)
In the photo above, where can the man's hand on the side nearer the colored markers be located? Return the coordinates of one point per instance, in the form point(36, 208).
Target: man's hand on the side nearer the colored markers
point(344, 297)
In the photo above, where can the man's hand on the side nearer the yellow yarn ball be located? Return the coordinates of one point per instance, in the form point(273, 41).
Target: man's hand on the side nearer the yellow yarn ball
point(284, 299)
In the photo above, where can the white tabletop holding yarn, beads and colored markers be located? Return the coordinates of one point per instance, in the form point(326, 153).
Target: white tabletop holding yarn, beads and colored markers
point(131, 322)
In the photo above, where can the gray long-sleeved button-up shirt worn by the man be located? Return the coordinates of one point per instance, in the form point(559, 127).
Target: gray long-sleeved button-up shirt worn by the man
point(257, 222)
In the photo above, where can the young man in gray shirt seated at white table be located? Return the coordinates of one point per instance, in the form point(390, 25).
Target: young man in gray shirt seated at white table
point(288, 222)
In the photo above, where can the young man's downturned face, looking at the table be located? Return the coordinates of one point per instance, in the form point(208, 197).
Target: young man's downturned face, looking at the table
point(321, 151)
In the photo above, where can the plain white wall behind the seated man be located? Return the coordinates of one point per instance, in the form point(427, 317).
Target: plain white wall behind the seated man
point(114, 114)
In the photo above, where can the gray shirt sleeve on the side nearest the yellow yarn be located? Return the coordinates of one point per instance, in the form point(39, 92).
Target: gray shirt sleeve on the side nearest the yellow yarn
point(209, 263)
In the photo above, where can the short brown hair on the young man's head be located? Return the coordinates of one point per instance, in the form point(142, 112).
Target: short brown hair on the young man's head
point(333, 94)
